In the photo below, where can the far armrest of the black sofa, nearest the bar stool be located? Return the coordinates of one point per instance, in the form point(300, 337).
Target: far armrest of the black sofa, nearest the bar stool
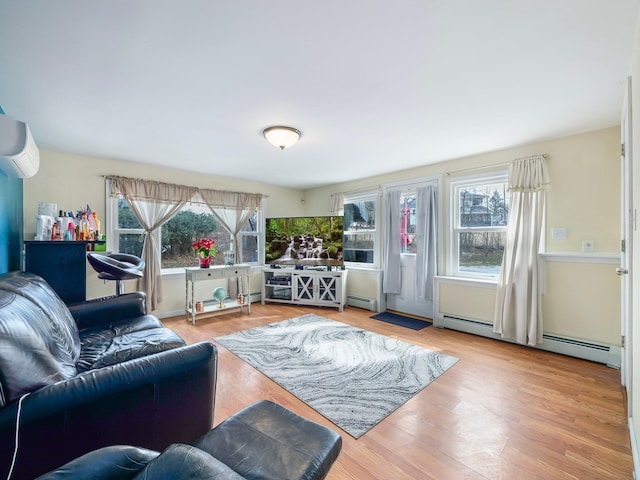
point(109, 309)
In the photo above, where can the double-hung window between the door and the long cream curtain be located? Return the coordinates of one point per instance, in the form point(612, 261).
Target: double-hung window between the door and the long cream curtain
point(479, 214)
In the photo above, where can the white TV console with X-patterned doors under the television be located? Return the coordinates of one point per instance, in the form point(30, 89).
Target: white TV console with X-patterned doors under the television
point(322, 288)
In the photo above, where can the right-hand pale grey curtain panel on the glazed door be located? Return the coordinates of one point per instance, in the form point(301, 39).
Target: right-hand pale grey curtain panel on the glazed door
point(426, 198)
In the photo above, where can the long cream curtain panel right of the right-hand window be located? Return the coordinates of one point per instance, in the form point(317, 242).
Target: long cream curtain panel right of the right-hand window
point(518, 313)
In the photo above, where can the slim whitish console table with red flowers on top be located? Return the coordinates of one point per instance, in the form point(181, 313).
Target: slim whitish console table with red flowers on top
point(211, 306)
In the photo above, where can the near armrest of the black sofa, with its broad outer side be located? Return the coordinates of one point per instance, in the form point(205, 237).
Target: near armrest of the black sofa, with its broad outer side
point(150, 402)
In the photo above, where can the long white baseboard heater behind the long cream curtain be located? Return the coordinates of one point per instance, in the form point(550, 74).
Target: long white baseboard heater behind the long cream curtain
point(609, 355)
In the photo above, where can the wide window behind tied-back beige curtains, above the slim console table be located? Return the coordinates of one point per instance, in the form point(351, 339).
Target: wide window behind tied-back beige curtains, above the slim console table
point(177, 235)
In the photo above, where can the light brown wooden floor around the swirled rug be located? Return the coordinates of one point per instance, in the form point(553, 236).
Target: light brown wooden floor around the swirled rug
point(502, 412)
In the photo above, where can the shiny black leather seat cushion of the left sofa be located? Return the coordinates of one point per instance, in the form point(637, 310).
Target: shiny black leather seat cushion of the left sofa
point(101, 350)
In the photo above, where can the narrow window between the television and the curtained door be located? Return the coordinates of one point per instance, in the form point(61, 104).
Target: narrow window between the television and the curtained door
point(361, 234)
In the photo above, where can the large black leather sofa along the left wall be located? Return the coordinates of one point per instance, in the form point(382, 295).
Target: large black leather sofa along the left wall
point(97, 373)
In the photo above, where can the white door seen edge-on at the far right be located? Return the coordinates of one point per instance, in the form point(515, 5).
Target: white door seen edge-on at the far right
point(627, 226)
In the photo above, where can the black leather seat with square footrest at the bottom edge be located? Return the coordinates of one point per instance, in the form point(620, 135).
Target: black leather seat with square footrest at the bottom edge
point(265, 441)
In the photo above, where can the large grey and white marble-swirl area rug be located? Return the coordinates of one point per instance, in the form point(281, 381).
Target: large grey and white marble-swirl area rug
point(353, 377)
